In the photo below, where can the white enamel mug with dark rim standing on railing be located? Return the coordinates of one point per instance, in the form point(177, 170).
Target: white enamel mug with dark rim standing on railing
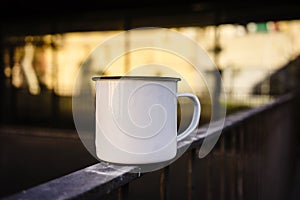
point(136, 119)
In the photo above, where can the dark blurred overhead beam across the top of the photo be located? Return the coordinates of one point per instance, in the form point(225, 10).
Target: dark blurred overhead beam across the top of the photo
point(60, 19)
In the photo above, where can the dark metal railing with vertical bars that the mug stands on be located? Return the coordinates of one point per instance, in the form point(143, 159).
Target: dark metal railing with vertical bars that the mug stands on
point(253, 159)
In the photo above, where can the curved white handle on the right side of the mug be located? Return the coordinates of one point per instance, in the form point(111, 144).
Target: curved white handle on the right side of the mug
point(196, 115)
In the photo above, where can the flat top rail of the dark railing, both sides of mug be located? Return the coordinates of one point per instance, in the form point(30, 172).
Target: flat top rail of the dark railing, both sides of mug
point(101, 178)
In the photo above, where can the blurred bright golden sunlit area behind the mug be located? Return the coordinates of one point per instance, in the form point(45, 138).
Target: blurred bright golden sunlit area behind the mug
point(246, 55)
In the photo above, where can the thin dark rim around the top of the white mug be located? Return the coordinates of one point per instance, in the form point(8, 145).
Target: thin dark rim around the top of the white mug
point(148, 78)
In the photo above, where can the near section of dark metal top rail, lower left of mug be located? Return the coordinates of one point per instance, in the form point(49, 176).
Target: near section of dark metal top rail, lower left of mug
point(92, 182)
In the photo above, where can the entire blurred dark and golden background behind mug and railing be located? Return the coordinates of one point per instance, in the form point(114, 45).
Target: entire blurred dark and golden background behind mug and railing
point(255, 46)
